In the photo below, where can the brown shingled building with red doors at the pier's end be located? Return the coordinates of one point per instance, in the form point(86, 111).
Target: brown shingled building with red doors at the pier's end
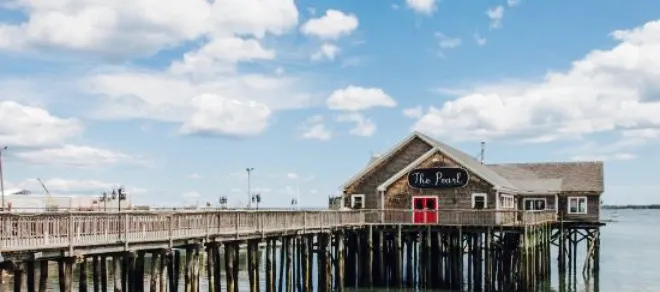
point(571, 189)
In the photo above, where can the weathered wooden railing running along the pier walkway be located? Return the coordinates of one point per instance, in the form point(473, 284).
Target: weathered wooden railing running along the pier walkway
point(69, 230)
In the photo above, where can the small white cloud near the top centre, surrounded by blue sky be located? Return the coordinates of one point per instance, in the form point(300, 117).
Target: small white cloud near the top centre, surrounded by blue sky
point(332, 25)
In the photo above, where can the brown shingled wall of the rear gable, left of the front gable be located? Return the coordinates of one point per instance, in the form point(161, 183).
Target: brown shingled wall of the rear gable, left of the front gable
point(368, 183)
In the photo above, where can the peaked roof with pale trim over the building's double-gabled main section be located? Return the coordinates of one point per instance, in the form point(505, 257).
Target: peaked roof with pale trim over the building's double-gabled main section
point(460, 157)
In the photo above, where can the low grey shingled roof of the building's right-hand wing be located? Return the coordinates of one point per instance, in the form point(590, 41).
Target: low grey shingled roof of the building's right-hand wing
point(573, 176)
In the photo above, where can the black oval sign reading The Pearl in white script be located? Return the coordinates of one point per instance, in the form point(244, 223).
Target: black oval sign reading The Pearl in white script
point(437, 178)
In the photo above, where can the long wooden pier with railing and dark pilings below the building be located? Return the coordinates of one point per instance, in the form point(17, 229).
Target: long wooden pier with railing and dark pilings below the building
point(475, 250)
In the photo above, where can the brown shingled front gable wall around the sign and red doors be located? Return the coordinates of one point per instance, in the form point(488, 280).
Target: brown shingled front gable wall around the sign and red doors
point(399, 194)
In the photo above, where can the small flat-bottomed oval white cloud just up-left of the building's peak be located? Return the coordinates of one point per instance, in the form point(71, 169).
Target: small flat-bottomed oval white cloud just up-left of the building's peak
point(355, 98)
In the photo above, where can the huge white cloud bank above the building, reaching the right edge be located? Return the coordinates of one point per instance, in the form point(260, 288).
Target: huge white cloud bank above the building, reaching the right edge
point(607, 90)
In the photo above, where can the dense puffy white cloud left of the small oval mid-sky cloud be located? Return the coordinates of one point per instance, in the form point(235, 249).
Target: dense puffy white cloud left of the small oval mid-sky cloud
point(216, 115)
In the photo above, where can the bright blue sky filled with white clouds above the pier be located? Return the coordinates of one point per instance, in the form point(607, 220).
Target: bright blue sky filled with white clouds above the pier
point(175, 99)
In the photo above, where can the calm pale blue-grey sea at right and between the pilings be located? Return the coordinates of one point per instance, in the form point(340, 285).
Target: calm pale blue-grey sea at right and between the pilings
point(630, 258)
